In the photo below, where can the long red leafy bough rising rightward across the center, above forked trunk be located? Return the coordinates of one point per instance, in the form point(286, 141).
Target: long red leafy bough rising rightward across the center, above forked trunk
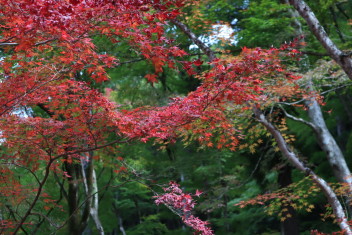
point(252, 77)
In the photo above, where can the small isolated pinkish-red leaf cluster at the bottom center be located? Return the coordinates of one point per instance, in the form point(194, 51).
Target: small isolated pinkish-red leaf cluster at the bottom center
point(183, 203)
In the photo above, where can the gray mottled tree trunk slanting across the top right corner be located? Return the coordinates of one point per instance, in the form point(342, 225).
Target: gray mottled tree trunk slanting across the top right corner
point(341, 58)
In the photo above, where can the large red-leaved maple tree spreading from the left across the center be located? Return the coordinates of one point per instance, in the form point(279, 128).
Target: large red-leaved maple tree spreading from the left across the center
point(48, 44)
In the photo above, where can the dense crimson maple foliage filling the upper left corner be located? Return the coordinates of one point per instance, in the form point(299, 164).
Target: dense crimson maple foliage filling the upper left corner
point(52, 40)
